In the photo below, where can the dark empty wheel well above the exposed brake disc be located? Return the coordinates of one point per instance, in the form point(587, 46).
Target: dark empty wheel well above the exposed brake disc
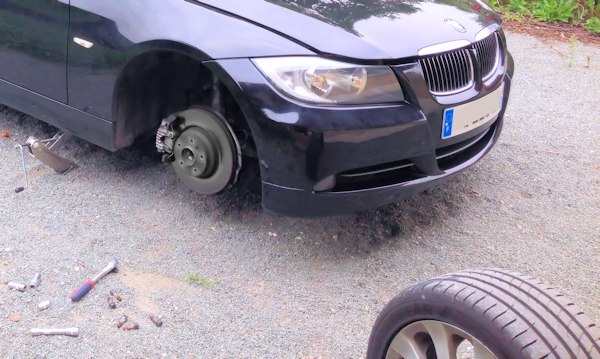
point(164, 77)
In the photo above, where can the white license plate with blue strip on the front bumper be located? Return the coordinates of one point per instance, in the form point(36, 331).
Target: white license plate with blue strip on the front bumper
point(464, 118)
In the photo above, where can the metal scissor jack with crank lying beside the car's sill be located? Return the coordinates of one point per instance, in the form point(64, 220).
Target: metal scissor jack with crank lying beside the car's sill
point(43, 150)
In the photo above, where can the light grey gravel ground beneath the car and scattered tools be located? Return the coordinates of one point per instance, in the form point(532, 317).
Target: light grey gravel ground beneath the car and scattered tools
point(285, 287)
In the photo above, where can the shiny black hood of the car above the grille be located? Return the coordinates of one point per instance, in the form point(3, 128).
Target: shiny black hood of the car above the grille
point(365, 29)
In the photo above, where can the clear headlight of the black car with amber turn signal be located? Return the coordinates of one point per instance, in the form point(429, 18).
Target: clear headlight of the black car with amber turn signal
point(317, 80)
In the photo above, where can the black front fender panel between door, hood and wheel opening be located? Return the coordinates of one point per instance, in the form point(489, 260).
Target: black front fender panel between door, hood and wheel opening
point(119, 32)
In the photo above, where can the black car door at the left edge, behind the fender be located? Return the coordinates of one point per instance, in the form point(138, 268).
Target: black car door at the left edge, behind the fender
point(33, 45)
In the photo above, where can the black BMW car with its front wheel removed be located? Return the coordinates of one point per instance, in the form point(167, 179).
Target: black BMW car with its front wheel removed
point(344, 104)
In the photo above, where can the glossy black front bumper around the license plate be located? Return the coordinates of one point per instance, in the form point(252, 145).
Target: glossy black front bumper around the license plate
point(320, 161)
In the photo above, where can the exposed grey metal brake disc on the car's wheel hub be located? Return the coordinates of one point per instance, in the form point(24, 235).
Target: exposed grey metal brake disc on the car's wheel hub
point(206, 153)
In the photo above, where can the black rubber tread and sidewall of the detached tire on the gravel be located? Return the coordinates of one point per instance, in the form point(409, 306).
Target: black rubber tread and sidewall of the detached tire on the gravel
point(513, 315)
